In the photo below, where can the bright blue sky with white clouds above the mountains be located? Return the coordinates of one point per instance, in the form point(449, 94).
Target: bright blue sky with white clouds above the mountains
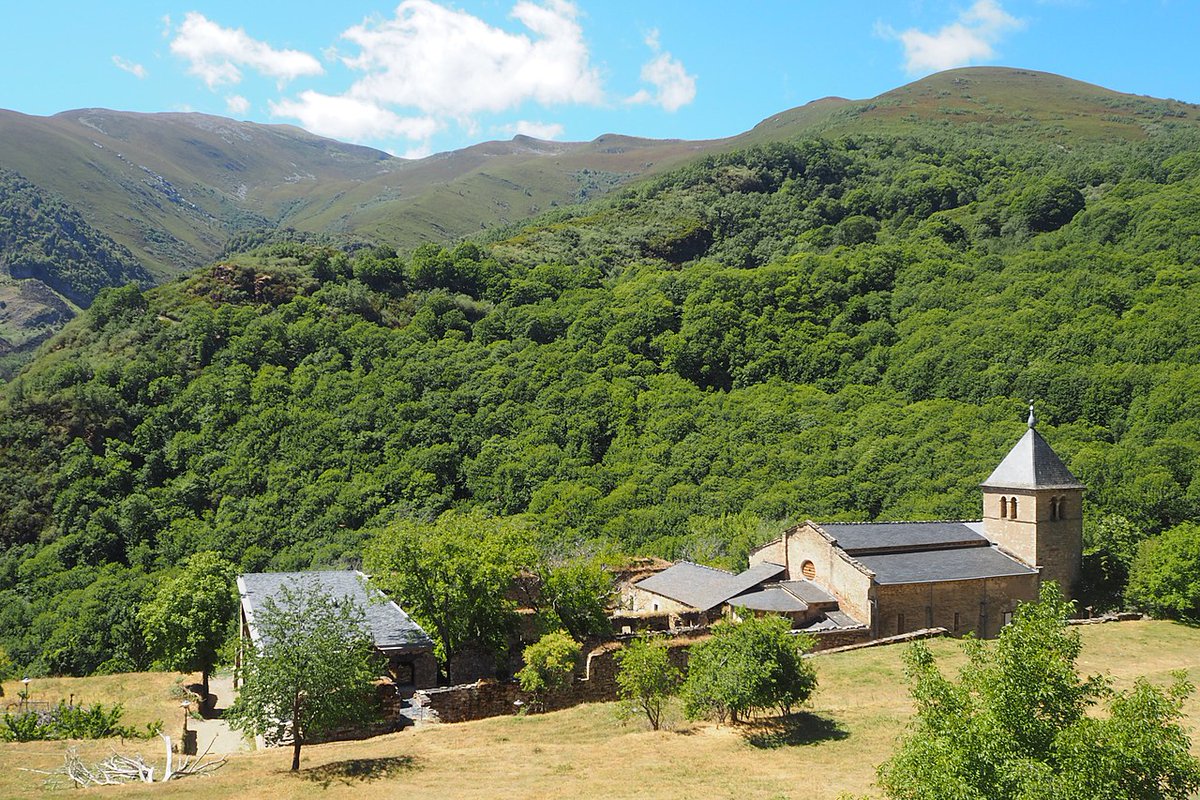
point(427, 76)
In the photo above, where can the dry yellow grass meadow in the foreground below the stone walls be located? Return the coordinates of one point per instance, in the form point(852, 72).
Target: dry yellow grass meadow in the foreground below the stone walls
point(855, 721)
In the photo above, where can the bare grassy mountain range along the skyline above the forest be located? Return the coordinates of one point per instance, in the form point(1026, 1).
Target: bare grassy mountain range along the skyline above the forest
point(178, 190)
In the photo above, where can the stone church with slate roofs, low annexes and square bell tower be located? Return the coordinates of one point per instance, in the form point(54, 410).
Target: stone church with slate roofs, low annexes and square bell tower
point(897, 578)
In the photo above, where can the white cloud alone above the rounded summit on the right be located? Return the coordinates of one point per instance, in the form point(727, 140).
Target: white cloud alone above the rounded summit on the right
point(971, 38)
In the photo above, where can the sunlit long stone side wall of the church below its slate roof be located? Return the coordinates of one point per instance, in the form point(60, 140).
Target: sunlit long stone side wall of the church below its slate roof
point(962, 607)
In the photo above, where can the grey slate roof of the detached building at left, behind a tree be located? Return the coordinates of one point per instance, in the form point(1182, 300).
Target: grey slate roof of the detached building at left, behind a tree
point(392, 629)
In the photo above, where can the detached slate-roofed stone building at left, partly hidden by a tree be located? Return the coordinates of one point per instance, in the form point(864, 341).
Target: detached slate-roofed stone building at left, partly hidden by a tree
point(406, 647)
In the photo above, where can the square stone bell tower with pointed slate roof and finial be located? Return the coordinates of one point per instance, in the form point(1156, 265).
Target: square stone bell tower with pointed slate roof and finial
point(1033, 507)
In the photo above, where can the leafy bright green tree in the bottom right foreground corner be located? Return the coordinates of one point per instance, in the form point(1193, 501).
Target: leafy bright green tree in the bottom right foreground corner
point(1016, 724)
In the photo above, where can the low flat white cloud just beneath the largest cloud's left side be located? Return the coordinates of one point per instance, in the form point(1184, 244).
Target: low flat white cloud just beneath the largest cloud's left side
point(349, 118)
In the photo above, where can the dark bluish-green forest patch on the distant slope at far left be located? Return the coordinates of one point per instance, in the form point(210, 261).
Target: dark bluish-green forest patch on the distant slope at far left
point(44, 238)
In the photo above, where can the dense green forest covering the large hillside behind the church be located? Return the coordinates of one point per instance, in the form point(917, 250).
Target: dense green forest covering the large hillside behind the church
point(842, 329)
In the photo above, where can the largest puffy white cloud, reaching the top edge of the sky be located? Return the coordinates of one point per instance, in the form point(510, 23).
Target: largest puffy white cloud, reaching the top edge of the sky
point(452, 64)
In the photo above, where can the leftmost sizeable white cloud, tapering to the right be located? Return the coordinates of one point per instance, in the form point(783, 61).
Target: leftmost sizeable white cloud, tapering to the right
point(215, 53)
